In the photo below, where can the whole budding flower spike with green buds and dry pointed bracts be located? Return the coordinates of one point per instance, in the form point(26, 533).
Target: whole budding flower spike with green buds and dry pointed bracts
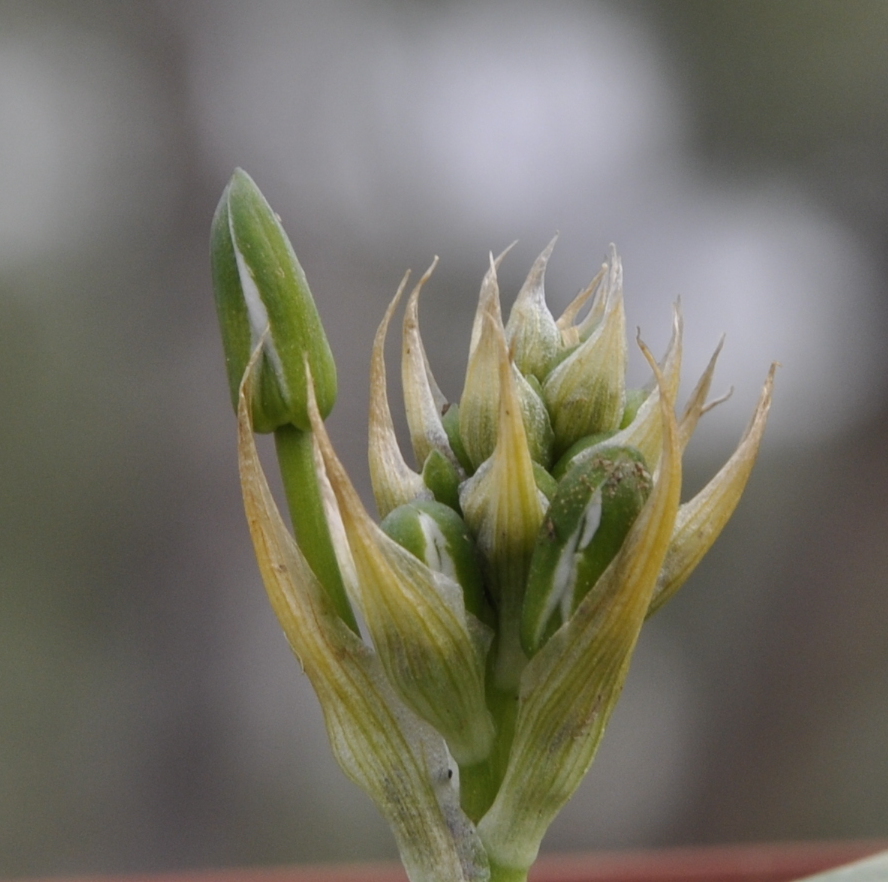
point(504, 589)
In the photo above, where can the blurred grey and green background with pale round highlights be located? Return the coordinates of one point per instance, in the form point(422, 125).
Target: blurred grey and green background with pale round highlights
point(151, 716)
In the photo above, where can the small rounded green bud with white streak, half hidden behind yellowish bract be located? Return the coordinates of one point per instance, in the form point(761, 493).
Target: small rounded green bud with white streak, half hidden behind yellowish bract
point(439, 537)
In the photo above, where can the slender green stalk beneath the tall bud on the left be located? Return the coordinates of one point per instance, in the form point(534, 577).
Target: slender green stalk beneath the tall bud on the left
point(296, 460)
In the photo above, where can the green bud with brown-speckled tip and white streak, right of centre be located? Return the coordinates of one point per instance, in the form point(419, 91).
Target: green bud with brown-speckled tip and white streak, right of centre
point(595, 505)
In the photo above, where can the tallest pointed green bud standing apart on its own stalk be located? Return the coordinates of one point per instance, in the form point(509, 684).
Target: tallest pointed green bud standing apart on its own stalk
point(262, 296)
